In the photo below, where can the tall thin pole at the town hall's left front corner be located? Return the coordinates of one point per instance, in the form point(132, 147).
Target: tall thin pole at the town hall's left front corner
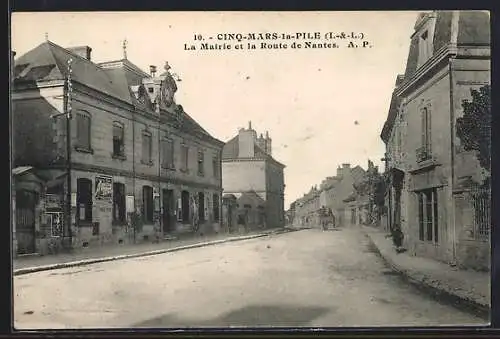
point(68, 89)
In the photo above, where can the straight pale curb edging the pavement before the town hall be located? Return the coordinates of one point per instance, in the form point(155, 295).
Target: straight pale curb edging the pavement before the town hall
point(34, 269)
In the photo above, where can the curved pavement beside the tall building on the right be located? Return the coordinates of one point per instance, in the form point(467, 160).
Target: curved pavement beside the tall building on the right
point(465, 287)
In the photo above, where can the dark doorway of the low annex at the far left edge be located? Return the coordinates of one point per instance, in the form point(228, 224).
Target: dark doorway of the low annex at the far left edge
point(25, 221)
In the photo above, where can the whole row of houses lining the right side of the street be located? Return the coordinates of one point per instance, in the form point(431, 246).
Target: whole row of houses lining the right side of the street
point(434, 190)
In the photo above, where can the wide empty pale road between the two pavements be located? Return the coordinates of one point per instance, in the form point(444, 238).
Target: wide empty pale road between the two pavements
point(304, 278)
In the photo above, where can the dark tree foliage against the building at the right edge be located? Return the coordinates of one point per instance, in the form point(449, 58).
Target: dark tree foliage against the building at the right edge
point(474, 127)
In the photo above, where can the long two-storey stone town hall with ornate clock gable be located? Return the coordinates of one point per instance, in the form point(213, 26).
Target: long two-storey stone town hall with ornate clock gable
point(134, 150)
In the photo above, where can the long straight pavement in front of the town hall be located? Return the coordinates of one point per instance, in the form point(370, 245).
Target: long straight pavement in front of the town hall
point(89, 255)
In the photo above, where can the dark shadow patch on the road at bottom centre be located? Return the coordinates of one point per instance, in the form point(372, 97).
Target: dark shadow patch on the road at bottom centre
point(259, 315)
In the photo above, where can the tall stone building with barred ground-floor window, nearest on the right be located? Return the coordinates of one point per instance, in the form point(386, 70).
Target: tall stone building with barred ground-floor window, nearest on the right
point(431, 175)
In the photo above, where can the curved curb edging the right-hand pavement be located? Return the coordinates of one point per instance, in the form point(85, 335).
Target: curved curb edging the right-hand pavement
point(458, 301)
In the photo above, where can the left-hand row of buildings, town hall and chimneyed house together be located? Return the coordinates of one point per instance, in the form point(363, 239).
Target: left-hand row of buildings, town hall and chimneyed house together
point(128, 161)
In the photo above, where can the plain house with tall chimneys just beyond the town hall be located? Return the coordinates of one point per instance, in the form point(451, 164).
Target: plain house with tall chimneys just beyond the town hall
point(248, 168)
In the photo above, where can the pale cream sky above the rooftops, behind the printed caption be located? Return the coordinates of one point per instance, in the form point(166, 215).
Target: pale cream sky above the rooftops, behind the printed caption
point(321, 107)
